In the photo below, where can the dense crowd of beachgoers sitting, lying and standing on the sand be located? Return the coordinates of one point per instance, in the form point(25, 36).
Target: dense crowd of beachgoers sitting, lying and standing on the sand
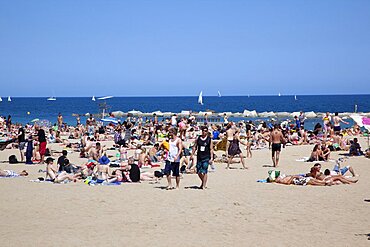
point(180, 143)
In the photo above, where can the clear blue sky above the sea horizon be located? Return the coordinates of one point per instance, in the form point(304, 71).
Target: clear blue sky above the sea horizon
point(155, 48)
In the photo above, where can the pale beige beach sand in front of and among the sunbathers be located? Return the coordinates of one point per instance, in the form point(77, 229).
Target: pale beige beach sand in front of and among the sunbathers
point(234, 211)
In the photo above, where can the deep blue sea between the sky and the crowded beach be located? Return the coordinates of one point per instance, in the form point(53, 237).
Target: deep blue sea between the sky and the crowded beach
point(25, 109)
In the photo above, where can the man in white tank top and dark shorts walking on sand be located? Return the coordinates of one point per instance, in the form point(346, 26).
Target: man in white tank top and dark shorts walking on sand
point(173, 159)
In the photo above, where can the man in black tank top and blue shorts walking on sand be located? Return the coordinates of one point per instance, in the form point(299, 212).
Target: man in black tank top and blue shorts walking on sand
point(204, 147)
